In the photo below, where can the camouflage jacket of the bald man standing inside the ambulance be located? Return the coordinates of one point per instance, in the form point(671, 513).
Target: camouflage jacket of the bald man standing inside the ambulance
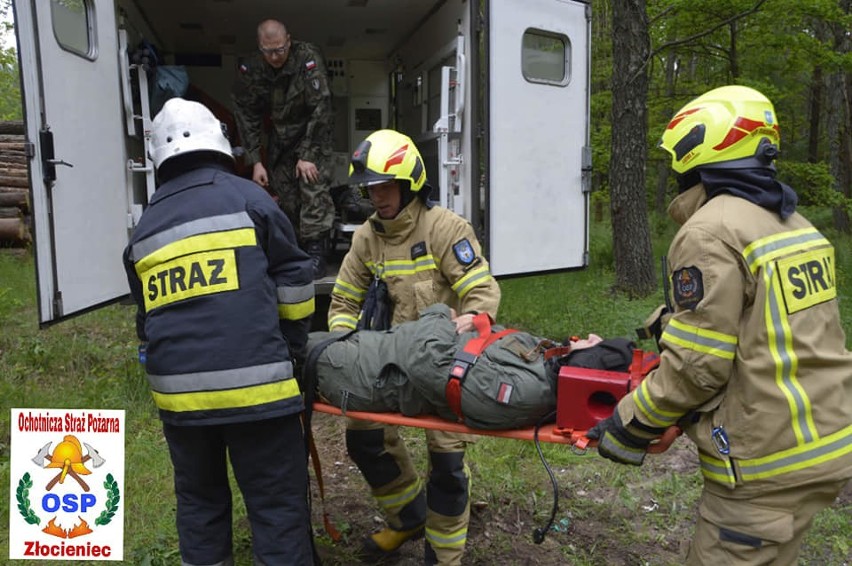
point(297, 99)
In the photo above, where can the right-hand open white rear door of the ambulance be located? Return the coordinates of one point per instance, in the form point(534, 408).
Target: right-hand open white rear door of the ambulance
point(537, 157)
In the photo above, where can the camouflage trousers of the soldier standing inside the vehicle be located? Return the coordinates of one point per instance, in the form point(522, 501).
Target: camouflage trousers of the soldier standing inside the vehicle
point(308, 206)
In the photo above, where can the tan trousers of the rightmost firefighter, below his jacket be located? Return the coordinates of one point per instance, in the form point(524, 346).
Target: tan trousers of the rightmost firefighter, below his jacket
point(763, 530)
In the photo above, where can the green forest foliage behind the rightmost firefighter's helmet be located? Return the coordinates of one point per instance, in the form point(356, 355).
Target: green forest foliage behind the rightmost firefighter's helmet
point(776, 49)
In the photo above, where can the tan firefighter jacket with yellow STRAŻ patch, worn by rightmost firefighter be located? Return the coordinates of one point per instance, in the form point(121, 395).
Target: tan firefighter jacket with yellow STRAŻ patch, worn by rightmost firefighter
point(753, 362)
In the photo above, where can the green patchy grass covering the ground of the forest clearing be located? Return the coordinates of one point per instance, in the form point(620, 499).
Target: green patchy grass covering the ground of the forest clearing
point(90, 361)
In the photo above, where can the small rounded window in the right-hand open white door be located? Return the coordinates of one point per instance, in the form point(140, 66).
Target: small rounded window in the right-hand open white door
point(546, 57)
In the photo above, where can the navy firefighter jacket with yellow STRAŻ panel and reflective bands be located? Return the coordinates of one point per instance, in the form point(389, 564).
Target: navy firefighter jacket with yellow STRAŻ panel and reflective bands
point(224, 297)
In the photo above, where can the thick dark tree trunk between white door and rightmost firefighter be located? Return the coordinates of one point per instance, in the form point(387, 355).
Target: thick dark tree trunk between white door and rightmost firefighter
point(631, 233)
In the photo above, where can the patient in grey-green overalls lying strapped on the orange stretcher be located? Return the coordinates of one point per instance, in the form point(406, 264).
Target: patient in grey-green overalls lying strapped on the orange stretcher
point(425, 367)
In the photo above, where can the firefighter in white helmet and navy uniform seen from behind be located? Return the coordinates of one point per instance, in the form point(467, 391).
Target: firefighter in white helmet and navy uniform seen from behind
point(224, 299)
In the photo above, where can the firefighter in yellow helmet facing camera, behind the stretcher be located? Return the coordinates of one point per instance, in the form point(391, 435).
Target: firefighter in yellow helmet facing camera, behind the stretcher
point(424, 254)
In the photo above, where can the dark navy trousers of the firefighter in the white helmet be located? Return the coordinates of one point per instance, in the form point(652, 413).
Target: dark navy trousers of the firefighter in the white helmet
point(270, 466)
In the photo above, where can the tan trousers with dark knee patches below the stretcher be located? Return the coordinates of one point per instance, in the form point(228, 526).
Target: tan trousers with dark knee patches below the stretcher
point(442, 507)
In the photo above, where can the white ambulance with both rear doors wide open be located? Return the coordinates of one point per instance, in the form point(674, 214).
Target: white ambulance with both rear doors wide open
point(494, 92)
